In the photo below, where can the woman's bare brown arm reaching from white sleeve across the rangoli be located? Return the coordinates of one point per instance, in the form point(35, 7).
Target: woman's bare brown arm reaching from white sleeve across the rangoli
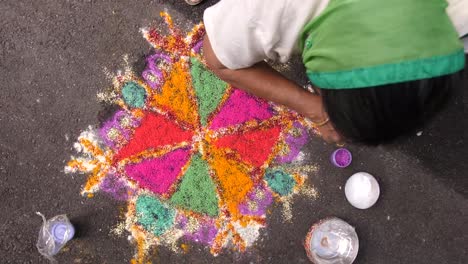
point(265, 82)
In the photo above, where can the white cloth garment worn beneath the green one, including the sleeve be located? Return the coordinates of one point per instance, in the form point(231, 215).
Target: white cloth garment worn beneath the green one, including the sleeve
point(244, 32)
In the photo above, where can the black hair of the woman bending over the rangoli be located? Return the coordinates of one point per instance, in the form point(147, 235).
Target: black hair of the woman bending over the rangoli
point(379, 114)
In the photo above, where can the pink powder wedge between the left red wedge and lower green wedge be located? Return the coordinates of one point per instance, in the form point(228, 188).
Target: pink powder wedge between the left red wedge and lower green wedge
point(159, 174)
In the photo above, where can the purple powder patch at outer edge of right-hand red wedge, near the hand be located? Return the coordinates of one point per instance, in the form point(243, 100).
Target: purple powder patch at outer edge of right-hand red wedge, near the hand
point(295, 141)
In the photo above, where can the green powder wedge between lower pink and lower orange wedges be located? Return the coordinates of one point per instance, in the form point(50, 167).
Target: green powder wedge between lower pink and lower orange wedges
point(197, 191)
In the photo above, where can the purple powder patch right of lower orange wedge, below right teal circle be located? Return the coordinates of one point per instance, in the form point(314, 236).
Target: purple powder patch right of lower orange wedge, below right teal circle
point(257, 202)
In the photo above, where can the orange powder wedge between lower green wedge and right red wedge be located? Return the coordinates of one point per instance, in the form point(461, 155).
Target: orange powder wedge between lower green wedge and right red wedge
point(233, 179)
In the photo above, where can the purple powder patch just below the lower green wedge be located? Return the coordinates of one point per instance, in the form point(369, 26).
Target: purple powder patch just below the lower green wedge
point(205, 233)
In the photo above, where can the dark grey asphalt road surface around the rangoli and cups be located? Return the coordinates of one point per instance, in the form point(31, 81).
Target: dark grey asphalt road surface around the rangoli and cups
point(52, 56)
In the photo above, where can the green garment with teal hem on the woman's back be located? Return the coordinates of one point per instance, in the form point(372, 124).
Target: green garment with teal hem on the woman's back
point(365, 43)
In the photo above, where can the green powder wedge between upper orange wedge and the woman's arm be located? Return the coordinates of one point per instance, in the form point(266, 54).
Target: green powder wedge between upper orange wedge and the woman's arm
point(208, 88)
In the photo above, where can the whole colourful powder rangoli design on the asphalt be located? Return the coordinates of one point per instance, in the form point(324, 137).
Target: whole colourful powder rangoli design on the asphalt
point(196, 159)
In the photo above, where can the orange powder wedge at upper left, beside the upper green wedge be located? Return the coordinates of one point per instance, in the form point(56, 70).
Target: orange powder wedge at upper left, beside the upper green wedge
point(176, 95)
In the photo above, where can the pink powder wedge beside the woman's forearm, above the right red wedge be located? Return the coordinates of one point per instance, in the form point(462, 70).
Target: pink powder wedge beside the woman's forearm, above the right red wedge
point(240, 108)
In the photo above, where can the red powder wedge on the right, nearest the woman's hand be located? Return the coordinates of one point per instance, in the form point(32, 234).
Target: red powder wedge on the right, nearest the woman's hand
point(254, 146)
